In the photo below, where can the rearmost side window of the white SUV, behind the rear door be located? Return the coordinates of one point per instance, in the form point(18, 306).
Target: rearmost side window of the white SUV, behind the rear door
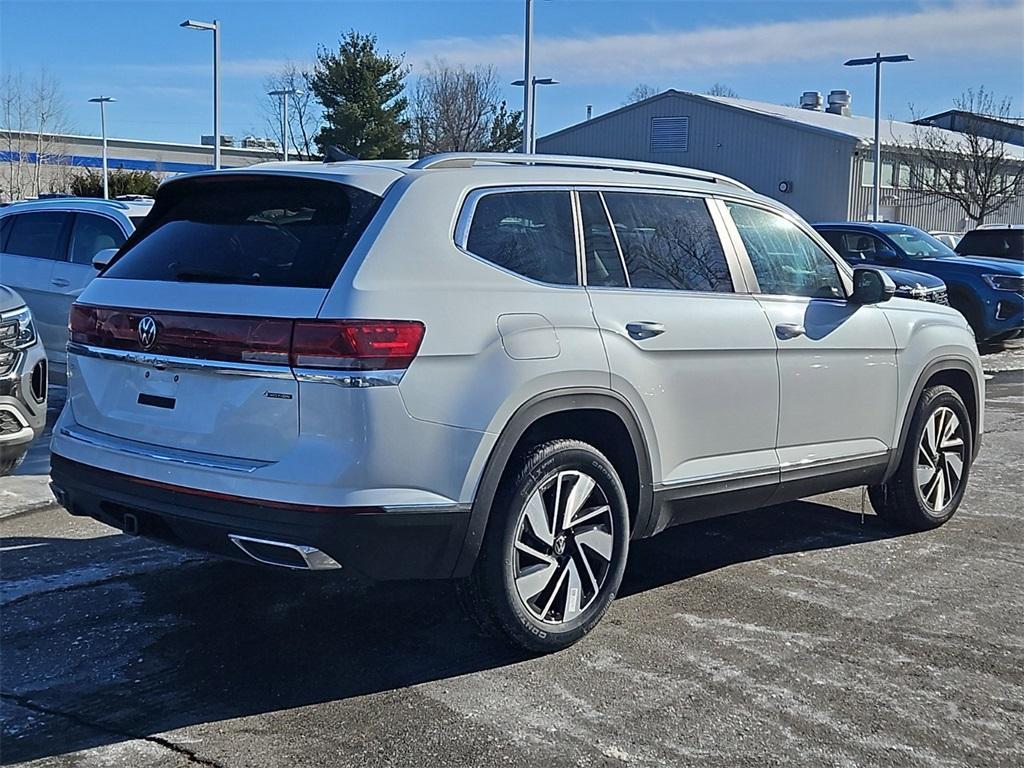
point(529, 233)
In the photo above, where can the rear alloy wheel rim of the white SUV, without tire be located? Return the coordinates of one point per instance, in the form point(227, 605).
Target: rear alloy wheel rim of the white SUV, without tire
point(564, 547)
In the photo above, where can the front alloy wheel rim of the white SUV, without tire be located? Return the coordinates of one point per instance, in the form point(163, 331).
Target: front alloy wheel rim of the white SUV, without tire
point(941, 459)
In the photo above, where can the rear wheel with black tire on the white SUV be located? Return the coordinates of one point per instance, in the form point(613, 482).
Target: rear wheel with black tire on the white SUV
point(492, 594)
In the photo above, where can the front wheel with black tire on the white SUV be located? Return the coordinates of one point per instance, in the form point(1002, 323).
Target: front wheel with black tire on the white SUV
point(903, 500)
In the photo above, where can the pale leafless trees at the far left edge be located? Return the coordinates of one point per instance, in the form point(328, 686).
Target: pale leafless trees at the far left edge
point(35, 116)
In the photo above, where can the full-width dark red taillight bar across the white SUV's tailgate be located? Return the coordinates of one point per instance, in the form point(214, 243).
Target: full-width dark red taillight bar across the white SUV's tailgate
point(344, 346)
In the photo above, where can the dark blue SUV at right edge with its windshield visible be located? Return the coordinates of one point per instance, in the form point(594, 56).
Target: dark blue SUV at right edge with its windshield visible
point(989, 292)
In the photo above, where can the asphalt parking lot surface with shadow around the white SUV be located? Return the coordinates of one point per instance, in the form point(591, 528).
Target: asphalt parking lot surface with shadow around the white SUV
point(805, 634)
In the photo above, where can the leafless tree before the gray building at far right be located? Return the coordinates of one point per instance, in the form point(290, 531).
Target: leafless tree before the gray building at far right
point(974, 167)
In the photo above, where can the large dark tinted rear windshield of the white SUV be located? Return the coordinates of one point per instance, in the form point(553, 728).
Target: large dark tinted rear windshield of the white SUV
point(266, 231)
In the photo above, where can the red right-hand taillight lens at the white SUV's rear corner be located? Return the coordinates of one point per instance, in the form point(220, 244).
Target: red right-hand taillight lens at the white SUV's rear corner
point(357, 346)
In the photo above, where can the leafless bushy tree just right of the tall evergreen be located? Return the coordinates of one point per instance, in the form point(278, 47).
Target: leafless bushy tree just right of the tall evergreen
point(455, 109)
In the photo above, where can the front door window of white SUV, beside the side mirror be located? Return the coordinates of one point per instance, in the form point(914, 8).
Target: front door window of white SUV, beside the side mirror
point(786, 262)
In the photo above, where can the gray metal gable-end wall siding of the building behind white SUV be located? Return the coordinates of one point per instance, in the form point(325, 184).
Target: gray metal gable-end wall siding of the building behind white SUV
point(756, 150)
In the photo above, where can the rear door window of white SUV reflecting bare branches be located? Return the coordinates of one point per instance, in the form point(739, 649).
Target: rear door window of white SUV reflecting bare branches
point(669, 242)
